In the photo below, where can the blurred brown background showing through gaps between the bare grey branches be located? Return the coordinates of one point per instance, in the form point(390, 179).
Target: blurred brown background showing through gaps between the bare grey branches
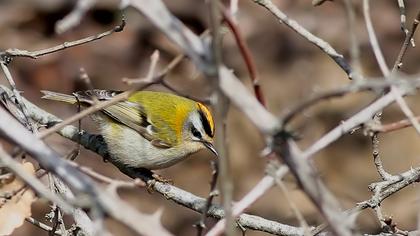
point(290, 68)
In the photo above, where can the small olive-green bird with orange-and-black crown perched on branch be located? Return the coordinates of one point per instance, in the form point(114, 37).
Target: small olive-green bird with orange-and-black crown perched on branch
point(151, 130)
